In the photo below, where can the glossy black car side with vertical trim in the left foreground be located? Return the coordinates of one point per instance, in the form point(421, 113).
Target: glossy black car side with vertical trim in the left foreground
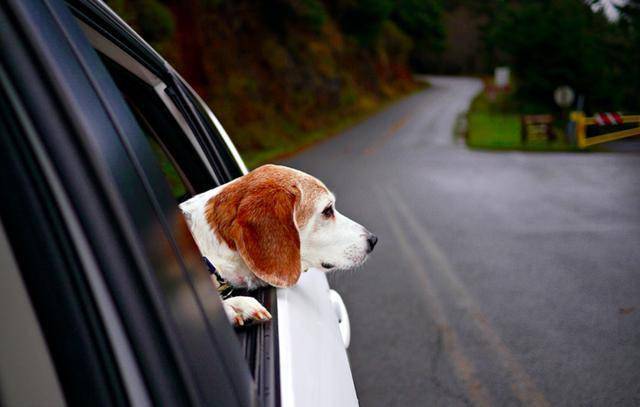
point(141, 292)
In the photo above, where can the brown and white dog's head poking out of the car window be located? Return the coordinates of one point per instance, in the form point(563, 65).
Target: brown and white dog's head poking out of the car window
point(282, 221)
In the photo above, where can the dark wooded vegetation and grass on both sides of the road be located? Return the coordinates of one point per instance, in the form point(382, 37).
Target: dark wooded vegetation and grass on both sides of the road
point(281, 74)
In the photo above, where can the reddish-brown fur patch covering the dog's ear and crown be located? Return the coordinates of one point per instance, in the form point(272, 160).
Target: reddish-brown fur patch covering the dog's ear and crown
point(255, 215)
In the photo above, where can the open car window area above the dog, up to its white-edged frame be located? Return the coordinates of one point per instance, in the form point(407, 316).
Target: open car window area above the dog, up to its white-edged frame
point(178, 126)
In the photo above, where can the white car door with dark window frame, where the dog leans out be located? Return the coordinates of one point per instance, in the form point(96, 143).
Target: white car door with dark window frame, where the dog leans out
point(305, 335)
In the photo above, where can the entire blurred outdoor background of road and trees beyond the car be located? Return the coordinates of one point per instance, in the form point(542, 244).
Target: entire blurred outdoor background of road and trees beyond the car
point(489, 144)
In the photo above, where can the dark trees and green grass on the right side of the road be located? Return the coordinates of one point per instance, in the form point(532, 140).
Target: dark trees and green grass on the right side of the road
point(548, 44)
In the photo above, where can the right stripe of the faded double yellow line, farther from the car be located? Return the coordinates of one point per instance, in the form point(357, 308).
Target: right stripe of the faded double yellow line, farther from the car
point(523, 386)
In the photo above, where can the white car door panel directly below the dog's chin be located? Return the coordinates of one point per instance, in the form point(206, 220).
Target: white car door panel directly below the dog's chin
point(314, 368)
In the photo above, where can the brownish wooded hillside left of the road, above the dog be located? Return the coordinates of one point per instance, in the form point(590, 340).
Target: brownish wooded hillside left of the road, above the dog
point(279, 74)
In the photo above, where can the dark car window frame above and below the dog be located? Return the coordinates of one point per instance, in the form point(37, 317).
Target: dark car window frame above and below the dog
point(260, 342)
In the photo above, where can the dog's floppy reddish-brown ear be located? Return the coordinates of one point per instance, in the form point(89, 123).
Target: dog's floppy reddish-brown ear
point(266, 235)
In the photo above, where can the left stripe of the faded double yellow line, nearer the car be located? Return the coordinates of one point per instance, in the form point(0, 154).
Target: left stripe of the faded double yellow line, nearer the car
point(463, 367)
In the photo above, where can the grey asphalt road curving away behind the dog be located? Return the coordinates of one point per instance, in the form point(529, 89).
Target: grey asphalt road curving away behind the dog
point(499, 278)
